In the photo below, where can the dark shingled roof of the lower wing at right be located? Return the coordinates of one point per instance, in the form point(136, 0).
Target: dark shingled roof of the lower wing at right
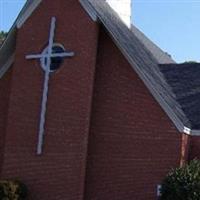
point(184, 80)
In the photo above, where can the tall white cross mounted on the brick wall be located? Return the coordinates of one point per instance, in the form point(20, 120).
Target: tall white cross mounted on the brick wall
point(48, 55)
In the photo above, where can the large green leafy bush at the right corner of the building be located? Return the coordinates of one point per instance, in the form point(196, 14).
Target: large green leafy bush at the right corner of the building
point(182, 183)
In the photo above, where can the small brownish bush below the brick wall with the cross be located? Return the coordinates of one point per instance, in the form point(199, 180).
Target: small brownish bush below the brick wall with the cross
point(12, 190)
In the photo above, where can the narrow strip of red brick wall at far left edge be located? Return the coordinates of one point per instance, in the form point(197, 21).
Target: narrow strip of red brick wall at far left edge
point(4, 99)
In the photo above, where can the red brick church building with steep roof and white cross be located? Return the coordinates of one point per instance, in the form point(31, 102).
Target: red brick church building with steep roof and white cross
point(90, 108)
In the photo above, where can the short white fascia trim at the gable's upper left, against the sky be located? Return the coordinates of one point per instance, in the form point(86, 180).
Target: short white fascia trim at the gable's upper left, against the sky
point(27, 13)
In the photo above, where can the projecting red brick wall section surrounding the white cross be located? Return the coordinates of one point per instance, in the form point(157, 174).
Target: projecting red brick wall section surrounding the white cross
point(59, 172)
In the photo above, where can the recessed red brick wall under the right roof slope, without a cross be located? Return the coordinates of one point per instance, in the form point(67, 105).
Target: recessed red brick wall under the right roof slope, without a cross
point(132, 142)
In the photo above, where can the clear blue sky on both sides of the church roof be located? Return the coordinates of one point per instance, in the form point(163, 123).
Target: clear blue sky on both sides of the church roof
point(174, 25)
